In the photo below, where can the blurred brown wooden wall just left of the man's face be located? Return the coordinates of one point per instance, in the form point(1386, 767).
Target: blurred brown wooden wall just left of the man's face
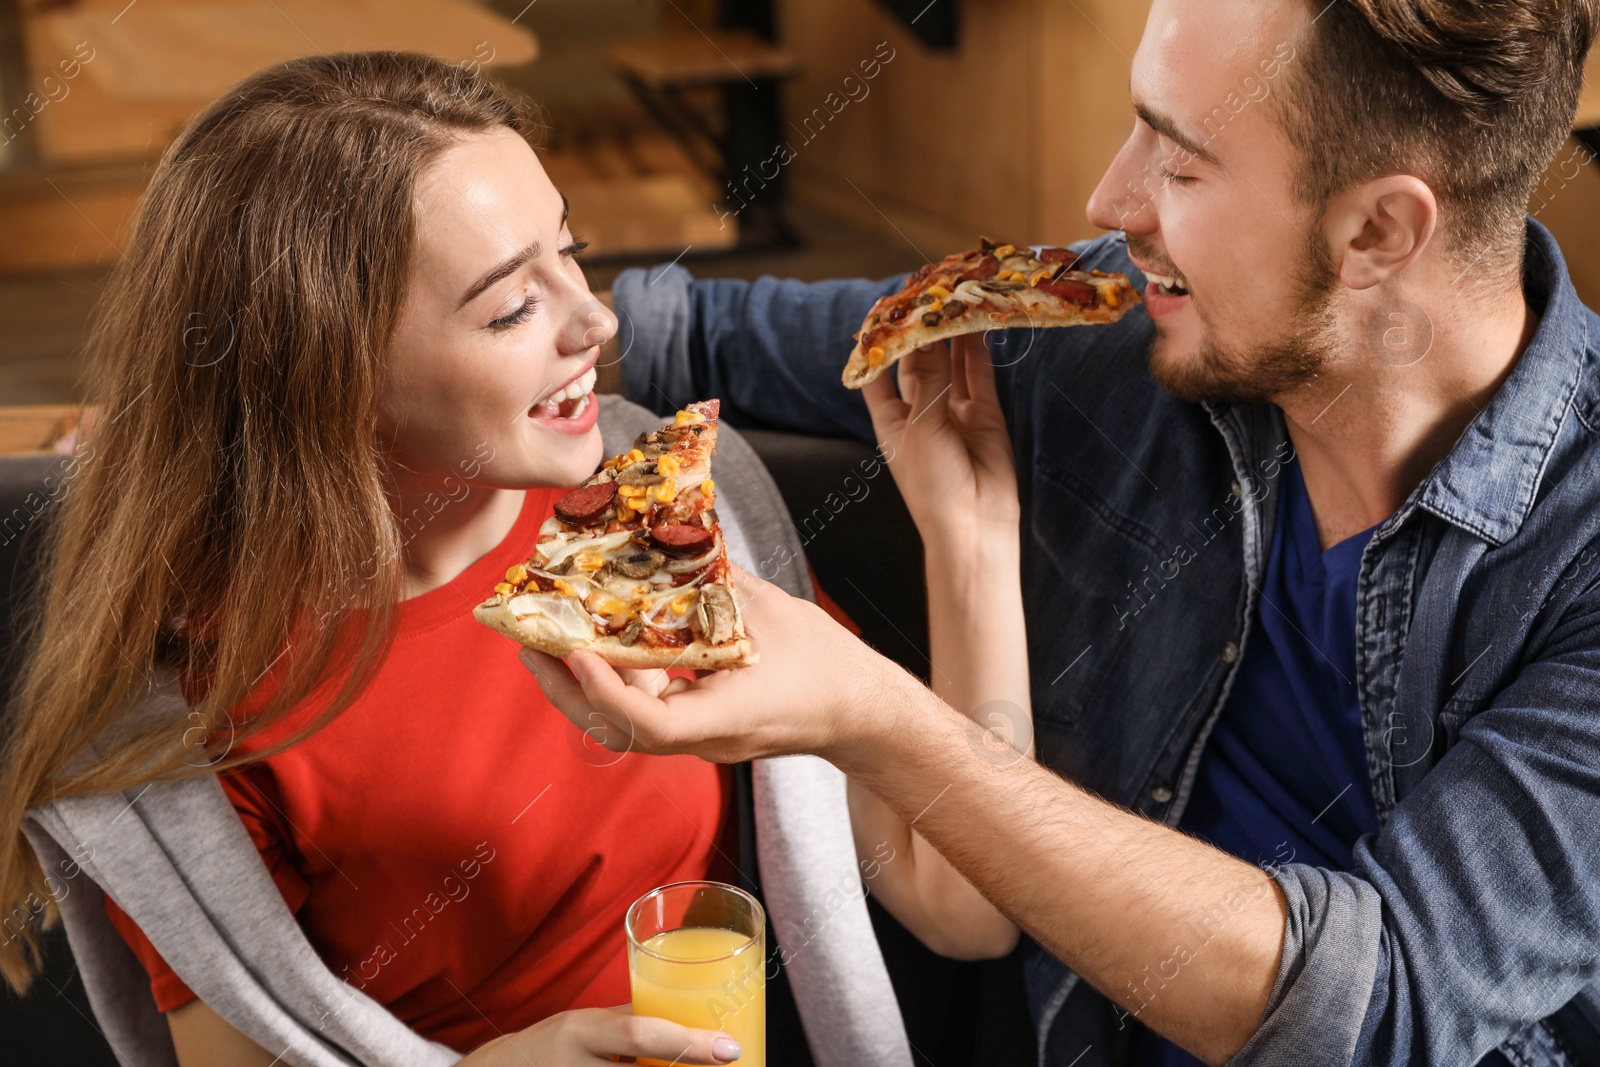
point(1006, 135)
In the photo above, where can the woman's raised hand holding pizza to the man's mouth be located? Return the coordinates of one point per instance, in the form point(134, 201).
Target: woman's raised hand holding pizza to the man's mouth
point(946, 442)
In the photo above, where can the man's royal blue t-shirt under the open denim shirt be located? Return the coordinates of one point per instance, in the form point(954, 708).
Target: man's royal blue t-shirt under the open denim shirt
point(1284, 773)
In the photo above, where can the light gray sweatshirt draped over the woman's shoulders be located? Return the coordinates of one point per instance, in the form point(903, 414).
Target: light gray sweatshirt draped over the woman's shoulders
point(178, 861)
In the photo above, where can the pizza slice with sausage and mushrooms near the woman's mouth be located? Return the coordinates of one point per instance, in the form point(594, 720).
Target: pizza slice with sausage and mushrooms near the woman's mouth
point(633, 564)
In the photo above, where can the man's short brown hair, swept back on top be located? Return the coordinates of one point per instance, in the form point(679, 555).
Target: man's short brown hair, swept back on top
point(1474, 98)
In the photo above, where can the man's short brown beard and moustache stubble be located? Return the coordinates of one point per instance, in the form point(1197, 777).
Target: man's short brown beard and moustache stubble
point(1263, 372)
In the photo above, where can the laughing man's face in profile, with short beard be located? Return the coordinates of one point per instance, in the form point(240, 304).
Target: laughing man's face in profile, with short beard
point(1204, 190)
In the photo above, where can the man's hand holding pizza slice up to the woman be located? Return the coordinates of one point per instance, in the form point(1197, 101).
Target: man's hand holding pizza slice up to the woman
point(817, 689)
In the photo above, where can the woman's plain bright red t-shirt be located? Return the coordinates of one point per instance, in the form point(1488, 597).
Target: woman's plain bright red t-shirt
point(452, 831)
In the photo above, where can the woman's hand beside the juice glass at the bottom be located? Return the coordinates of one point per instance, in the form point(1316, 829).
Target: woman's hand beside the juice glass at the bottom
point(601, 1036)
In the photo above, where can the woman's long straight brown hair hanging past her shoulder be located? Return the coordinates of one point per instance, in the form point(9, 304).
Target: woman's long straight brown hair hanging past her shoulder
point(236, 505)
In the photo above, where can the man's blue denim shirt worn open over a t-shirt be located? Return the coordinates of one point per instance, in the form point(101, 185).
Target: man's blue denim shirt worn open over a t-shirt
point(1471, 919)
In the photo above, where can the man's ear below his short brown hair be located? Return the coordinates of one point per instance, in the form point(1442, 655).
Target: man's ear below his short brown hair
point(1380, 228)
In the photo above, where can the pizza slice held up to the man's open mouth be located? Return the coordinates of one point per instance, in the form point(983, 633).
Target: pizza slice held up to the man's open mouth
point(988, 289)
